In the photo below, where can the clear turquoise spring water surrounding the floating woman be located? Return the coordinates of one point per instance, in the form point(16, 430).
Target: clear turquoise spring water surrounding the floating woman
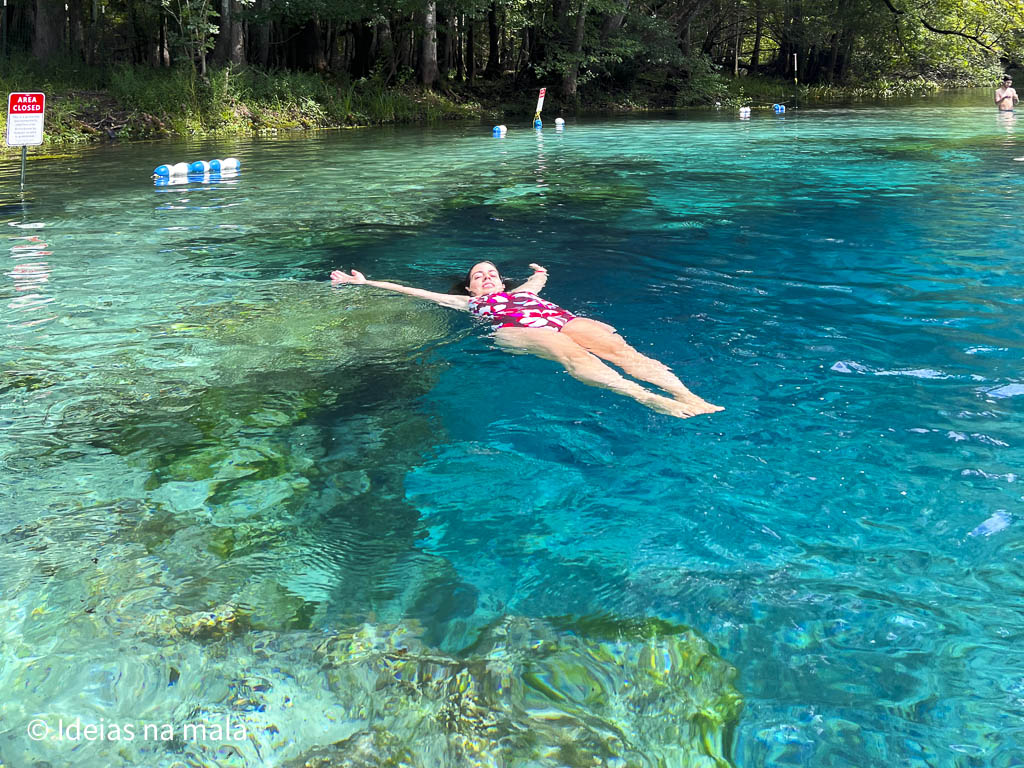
point(192, 418)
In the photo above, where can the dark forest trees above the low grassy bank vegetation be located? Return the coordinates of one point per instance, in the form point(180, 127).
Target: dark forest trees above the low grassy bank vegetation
point(569, 45)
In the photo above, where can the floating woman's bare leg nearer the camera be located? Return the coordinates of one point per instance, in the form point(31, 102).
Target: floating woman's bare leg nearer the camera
point(587, 368)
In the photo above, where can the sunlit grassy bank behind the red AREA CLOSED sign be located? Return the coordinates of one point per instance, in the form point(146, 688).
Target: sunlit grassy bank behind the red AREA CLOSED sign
point(92, 105)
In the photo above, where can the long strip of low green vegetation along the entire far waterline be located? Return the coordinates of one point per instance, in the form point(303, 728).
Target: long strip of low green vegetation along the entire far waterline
point(132, 103)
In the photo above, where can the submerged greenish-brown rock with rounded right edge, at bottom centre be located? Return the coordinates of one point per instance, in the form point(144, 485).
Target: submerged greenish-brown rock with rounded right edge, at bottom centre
point(530, 695)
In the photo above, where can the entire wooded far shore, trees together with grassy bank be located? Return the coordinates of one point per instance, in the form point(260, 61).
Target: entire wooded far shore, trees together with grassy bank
point(193, 66)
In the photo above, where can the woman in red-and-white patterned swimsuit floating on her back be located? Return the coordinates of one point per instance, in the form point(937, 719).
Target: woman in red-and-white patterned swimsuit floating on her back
point(526, 323)
